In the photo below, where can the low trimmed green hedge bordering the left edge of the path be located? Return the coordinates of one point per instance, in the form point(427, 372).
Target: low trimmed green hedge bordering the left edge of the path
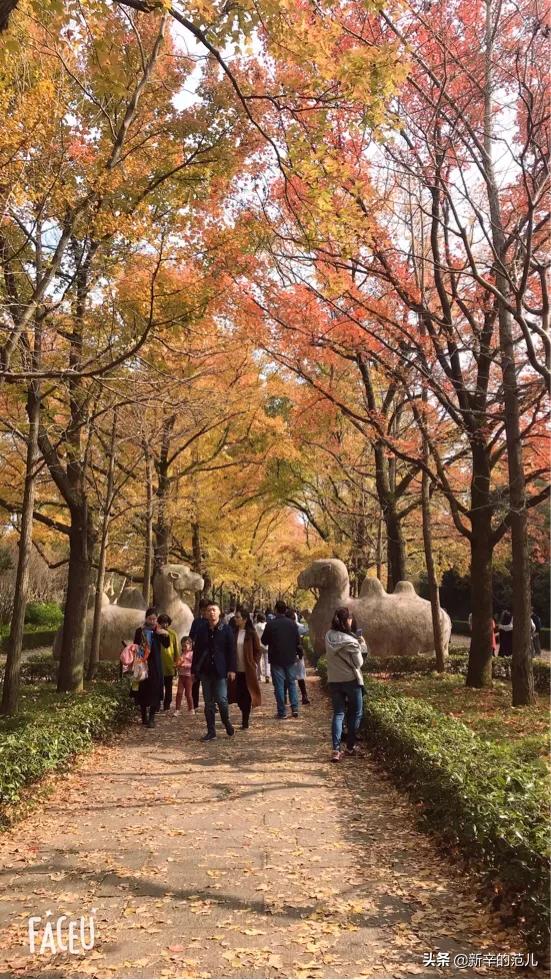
point(55, 737)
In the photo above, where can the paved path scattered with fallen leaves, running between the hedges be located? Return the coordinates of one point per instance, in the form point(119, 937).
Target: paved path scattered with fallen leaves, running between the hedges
point(244, 857)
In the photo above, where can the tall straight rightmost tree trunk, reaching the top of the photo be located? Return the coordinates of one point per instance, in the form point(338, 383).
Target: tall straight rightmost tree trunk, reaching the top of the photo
point(522, 673)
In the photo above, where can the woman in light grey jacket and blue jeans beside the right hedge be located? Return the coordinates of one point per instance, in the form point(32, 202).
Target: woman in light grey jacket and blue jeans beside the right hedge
point(344, 653)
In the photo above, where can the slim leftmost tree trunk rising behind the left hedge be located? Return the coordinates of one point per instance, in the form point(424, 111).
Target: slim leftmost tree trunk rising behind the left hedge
point(10, 691)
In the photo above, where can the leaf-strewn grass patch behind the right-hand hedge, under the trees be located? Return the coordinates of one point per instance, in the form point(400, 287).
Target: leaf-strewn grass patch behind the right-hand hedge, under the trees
point(488, 712)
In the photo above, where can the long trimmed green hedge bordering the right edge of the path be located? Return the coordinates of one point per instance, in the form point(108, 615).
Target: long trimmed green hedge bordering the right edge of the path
point(471, 797)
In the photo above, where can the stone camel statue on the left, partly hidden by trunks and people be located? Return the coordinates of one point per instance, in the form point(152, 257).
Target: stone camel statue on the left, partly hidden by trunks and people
point(119, 623)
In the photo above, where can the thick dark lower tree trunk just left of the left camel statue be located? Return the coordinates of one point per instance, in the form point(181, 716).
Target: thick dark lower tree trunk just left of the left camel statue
point(71, 662)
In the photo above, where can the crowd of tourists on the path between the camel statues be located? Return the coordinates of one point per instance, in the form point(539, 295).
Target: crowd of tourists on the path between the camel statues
point(228, 657)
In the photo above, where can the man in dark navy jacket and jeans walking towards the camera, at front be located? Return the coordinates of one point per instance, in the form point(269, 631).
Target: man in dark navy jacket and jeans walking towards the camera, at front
point(214, 661)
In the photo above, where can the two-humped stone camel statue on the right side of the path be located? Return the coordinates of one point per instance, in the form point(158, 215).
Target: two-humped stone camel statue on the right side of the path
point(394, 624)
